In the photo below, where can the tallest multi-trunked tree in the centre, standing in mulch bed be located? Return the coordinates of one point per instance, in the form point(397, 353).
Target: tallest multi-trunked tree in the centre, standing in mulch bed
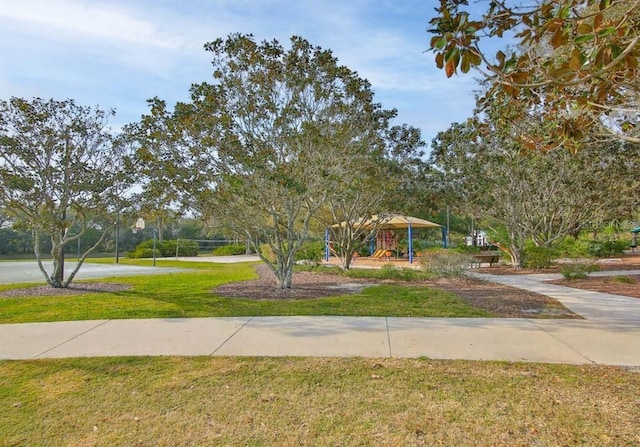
point(279, 137)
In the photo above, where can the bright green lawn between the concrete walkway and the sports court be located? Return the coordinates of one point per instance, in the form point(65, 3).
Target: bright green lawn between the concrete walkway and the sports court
point(189, 294)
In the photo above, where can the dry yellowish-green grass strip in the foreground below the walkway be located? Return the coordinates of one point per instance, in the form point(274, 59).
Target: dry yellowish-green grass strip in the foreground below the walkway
point(292, 401)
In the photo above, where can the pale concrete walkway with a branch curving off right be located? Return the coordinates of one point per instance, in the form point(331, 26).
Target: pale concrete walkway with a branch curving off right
point(608, 334)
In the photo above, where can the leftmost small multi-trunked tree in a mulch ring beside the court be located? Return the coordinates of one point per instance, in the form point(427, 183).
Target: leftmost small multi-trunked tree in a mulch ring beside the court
point(60, 168)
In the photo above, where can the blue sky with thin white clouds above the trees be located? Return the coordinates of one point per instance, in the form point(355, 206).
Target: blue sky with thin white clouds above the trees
point(117, 54)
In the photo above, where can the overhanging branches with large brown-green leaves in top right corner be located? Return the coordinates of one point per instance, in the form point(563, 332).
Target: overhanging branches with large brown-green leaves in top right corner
point(576, 61)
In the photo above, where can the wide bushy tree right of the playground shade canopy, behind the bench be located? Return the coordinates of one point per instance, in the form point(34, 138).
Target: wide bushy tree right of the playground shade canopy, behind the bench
point(539, 196)
